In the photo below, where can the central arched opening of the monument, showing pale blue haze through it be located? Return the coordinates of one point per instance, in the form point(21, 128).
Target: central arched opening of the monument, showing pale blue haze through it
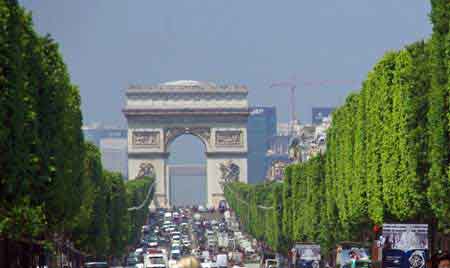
point(187, 170)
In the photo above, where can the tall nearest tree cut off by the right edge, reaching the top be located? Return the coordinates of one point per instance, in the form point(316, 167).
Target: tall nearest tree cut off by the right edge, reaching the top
point(438, 123)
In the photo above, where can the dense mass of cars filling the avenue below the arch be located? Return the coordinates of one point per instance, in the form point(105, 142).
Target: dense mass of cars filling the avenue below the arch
point(211, 236)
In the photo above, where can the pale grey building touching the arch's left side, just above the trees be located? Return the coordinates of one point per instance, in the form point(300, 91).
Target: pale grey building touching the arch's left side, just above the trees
point(114, 155)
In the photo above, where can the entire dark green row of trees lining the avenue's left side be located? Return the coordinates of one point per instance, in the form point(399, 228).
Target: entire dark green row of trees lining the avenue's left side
point(52, 184)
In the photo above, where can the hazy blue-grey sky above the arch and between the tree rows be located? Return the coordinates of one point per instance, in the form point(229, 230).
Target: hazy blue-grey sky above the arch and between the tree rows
point(108, 45)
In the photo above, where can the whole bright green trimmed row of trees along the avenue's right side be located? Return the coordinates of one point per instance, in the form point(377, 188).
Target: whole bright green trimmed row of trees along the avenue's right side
point(387, 156)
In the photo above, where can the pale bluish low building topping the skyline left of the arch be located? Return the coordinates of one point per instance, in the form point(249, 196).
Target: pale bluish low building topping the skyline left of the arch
point(95, 132)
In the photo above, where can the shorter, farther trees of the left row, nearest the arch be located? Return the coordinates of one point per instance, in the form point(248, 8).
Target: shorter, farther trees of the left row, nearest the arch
point(104, 226)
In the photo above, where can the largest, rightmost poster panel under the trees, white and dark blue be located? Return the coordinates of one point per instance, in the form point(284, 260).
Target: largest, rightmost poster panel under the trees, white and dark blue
point(404, 245)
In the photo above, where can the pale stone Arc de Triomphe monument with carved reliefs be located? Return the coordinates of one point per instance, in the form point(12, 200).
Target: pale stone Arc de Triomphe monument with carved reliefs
point(217, 115)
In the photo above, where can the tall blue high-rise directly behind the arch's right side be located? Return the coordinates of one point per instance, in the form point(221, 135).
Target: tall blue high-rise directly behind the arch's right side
point(261, 127)
